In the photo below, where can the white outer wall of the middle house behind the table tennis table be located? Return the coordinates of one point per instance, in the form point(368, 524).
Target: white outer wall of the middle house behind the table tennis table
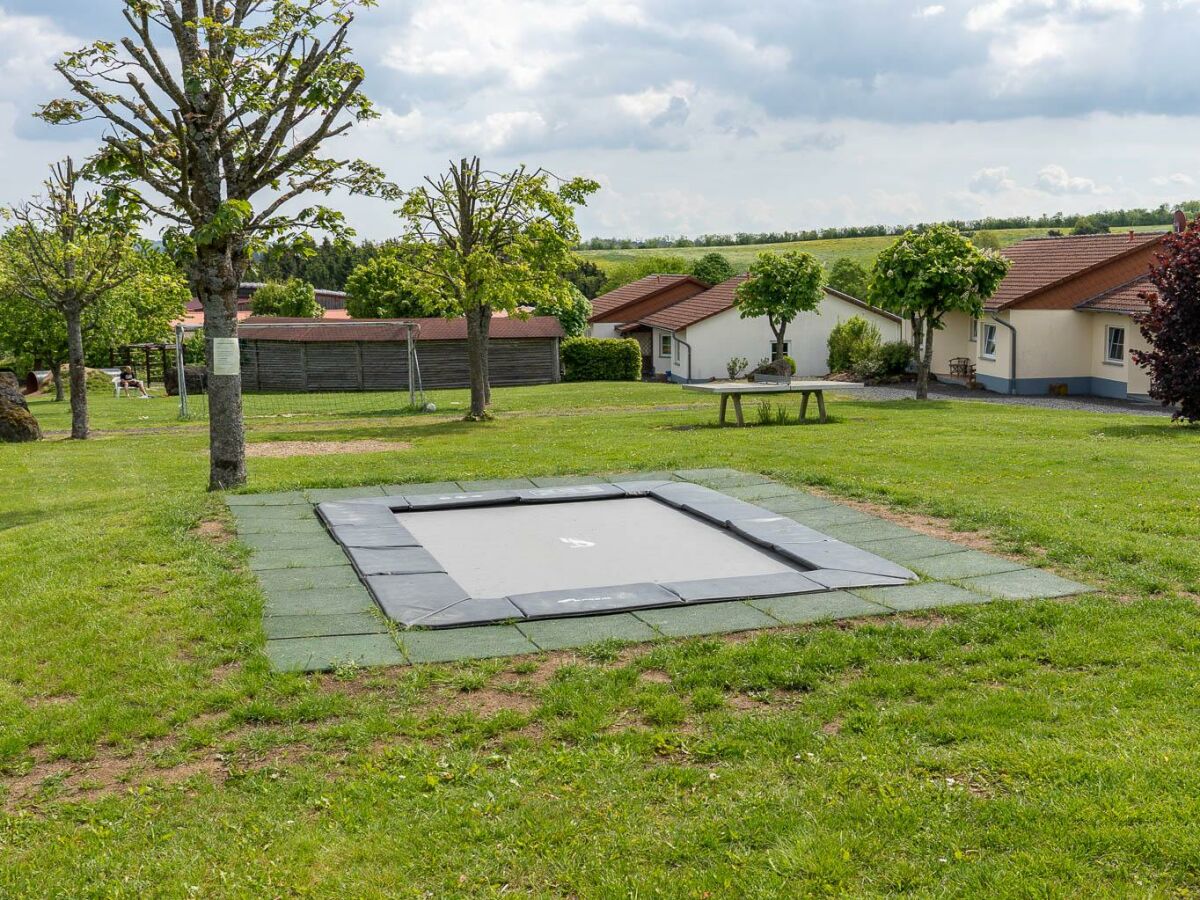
point(716, 340)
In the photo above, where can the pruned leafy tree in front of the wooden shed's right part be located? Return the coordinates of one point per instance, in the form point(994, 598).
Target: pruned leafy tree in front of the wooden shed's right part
point(478, 242)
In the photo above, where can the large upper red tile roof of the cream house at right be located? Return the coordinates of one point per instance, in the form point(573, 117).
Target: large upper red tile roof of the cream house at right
point(1039, 263)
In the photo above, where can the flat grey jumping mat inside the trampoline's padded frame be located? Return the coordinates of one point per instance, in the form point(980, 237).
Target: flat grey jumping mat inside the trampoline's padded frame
point(500, 551)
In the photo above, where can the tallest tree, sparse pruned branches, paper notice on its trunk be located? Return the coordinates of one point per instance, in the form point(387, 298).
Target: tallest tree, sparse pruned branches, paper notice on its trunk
point(212, 106)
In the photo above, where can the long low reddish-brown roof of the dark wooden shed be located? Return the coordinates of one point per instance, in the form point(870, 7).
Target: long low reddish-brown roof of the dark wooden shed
point(435, 329)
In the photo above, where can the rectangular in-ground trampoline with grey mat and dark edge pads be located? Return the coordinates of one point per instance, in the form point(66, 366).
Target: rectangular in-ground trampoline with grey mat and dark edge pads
point(451, 560)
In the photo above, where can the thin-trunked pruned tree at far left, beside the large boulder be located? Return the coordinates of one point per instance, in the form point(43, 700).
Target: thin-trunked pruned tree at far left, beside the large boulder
point(65, 255)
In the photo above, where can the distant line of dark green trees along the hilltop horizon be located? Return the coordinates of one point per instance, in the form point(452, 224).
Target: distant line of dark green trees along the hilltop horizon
point(1114, 219)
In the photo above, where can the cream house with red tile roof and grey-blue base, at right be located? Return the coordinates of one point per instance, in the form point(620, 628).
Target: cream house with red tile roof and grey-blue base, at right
point(1061, 320)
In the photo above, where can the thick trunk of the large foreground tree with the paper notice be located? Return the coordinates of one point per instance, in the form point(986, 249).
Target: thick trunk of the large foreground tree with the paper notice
point(215, 280)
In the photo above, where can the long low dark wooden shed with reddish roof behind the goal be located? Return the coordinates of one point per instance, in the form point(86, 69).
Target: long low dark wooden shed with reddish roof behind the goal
point(297, 356)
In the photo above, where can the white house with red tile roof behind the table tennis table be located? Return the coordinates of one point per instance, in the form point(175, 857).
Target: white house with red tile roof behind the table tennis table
point(693, 338)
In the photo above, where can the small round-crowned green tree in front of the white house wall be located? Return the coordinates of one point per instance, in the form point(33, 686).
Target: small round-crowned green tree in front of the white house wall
point(781, 287)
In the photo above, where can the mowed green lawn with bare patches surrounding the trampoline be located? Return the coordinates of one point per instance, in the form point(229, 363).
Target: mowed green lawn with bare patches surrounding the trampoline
point(1048, 748)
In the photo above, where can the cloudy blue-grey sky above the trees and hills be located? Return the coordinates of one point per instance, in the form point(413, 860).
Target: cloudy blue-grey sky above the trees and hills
point(706, 116)
